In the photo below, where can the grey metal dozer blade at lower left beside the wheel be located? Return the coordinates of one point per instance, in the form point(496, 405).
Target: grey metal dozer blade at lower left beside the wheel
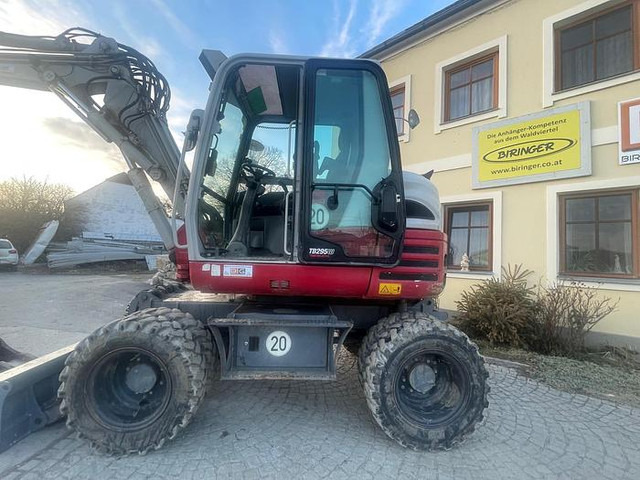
point(28, 396)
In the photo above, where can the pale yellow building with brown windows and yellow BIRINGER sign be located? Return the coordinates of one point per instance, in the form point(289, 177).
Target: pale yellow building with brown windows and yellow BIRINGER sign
point(530, 119)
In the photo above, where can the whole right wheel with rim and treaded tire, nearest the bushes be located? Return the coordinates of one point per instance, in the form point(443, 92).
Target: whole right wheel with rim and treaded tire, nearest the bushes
point(424, 380)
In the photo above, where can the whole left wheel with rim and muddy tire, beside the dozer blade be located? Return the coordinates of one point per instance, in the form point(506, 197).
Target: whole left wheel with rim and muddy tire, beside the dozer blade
point(133, 384)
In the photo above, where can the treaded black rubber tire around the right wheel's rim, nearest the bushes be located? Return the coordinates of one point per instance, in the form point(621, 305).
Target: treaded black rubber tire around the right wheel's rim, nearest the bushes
point(393, 340)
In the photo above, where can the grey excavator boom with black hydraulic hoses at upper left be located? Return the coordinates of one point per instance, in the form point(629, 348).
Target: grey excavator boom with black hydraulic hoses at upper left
point(114, 89)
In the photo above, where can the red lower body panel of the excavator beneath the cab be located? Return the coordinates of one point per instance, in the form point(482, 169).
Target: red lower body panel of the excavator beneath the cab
point(404, 281)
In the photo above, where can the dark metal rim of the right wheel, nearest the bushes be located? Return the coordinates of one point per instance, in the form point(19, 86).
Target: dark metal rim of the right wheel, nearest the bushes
point(431, 388)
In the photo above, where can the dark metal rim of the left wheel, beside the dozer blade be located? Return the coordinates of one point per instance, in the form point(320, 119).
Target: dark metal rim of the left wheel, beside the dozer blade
point(128, 389)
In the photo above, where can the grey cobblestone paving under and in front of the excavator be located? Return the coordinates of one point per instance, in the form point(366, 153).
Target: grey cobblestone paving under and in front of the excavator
point(313, 430)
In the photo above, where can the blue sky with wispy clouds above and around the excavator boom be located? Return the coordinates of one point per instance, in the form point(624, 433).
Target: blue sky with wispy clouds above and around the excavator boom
point(41, 137)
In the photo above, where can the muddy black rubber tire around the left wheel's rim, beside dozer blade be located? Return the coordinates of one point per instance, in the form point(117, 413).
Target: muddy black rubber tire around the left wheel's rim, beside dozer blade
point(170, 335)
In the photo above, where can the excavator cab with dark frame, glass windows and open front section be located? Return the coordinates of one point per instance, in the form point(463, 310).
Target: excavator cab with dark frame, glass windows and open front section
point(299, 163)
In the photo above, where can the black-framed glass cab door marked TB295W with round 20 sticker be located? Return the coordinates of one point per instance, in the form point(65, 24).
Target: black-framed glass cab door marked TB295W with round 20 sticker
point(352, 196)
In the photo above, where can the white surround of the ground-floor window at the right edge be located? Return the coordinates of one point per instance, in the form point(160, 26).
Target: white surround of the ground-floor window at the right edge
point(554, 193)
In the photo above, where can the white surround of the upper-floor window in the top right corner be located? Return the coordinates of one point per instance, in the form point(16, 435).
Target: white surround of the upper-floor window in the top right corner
point(549, 25)
